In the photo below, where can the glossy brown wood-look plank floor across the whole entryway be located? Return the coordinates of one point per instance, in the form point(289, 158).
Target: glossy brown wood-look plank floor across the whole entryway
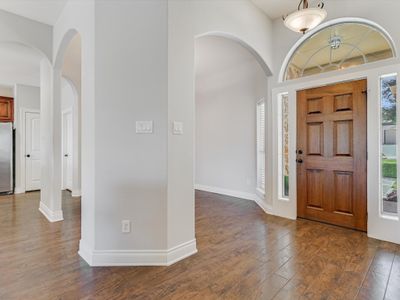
point(243, 254)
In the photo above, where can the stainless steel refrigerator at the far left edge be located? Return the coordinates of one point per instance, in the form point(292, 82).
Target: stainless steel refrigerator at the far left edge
point(6, 158)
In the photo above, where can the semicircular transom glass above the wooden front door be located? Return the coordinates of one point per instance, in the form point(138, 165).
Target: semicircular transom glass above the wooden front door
point(339, 47)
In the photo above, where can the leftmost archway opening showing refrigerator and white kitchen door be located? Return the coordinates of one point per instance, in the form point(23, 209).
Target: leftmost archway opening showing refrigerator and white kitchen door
point(20, 81)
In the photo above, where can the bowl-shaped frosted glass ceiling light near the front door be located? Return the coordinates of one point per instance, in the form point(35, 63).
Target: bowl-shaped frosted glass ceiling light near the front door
point(305, 18)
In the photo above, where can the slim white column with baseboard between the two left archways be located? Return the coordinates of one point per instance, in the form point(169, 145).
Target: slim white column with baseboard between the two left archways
point(50, 142)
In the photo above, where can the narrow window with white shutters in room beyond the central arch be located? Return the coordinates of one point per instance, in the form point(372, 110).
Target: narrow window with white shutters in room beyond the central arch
point(261, 146)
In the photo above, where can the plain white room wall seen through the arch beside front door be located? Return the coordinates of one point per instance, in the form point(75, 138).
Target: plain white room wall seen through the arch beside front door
point(229, 83)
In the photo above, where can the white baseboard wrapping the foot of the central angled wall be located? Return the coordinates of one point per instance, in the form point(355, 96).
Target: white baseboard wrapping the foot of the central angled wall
point(97, 258)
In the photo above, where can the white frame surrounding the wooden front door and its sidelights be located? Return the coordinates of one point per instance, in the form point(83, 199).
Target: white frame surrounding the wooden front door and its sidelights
point(379, 226)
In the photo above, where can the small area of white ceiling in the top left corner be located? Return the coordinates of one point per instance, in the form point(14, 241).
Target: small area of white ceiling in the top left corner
point(44, 11)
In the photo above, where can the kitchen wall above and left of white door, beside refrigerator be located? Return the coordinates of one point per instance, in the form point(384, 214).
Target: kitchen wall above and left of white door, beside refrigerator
point(25, 98)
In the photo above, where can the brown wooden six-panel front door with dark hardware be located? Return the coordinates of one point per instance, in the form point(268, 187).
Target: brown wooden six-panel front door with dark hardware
point(332, 154)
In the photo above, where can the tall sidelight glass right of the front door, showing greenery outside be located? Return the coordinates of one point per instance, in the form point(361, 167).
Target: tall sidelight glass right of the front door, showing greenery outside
point(388, 98)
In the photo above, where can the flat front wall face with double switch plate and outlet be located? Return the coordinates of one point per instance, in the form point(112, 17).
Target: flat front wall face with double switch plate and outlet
point(131, 85)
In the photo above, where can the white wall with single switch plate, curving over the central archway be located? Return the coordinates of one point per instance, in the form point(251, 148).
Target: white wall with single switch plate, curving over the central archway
point(188, 19)
